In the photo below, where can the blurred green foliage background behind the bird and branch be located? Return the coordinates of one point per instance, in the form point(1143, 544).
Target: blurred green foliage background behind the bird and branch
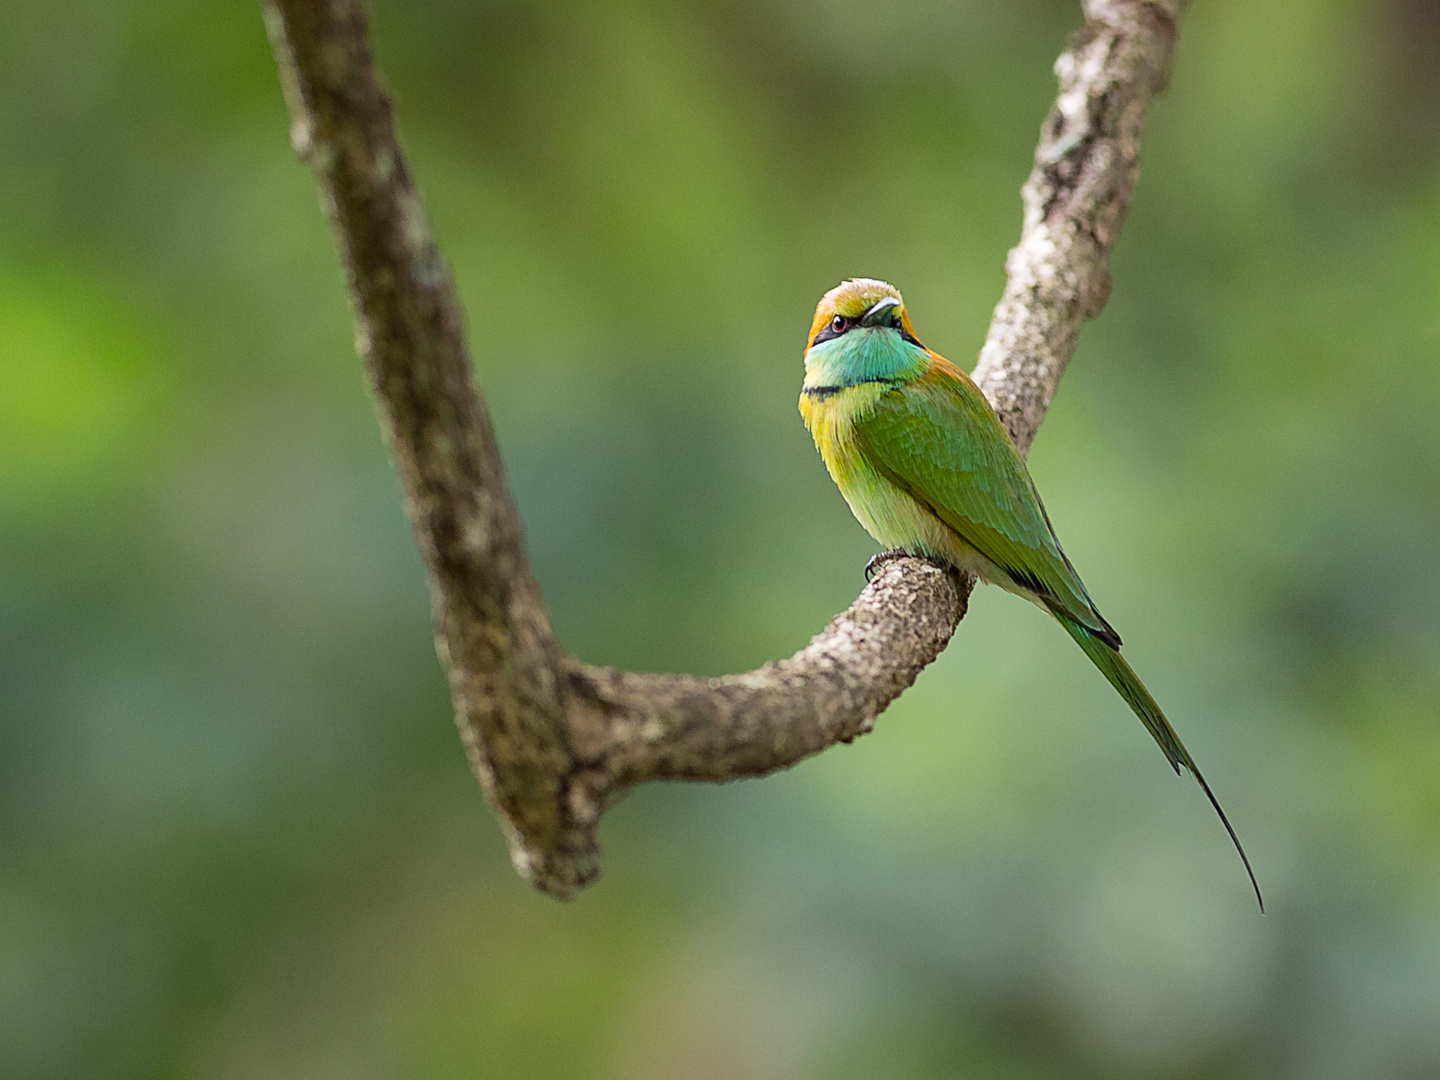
point(238, 836)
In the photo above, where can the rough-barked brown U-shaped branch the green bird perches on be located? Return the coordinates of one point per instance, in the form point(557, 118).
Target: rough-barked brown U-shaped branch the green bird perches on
point(554, 739)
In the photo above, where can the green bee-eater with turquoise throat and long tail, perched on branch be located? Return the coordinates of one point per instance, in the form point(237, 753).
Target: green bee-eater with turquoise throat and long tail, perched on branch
point(930, 470)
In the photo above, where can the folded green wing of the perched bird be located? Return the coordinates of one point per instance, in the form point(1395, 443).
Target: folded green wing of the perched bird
point(940, 441)
